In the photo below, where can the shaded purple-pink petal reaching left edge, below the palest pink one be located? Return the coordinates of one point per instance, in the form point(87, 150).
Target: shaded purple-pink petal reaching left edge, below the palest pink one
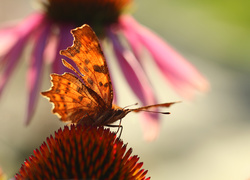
point(12, 57)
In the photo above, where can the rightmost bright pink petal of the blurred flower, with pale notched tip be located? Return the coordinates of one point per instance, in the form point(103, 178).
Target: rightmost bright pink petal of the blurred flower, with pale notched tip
point(180, 73)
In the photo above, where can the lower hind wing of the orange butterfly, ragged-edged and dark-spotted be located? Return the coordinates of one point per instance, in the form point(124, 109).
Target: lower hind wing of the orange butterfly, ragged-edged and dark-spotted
point(71, 99)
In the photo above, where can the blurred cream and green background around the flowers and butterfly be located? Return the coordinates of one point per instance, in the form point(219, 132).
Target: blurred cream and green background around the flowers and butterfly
point(207, 138)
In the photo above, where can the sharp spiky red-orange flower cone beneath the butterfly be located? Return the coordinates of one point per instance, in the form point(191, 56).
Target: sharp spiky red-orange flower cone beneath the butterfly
point(82, 152)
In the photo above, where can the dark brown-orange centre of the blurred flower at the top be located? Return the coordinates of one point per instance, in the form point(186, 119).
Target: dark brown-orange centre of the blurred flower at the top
point(97, 13)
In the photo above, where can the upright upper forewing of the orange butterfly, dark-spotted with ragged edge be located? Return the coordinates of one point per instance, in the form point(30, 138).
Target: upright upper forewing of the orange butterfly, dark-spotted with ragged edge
point(89, 59)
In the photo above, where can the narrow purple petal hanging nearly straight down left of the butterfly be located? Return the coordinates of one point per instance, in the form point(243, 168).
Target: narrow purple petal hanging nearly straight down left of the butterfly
point(36, 66)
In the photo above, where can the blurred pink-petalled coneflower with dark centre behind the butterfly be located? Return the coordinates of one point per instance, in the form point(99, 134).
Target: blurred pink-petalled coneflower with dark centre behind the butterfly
point(49, 29)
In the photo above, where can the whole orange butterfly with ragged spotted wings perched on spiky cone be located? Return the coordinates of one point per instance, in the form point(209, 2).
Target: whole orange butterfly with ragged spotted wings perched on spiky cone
point(87, 99)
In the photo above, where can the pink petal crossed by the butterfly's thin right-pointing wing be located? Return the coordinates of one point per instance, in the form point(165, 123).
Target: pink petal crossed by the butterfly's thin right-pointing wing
point(138, 82)
